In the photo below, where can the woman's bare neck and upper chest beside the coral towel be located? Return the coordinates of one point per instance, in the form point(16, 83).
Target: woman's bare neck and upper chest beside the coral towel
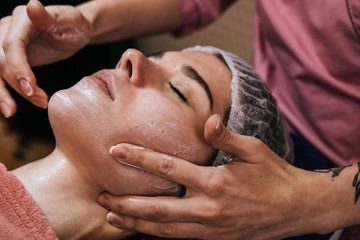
point(68, 198)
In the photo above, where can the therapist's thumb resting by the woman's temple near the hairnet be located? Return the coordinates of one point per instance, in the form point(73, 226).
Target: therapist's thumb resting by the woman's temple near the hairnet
point(241, 147)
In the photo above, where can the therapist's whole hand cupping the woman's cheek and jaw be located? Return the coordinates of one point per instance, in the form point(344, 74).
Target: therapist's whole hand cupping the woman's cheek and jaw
point(253, 197)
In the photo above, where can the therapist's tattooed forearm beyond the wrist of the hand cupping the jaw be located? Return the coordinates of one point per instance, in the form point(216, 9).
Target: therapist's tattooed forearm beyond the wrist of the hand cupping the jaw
point(332, 201)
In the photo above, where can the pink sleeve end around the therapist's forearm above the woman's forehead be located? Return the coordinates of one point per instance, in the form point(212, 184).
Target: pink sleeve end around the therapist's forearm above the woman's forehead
point(199, 13)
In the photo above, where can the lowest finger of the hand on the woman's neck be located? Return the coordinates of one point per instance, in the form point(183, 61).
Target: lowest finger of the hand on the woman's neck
point(161, 229)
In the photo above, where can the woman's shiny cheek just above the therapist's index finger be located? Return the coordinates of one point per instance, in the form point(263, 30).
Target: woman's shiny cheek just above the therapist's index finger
point(161, 125)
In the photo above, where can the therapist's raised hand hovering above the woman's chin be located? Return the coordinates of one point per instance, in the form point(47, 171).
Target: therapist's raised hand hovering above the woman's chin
point(34, 35)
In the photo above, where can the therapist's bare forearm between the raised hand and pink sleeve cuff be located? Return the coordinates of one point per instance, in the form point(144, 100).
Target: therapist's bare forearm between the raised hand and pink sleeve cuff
point(114, 20)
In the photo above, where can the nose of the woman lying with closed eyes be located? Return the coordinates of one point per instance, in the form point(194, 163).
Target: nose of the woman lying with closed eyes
point(138, 67)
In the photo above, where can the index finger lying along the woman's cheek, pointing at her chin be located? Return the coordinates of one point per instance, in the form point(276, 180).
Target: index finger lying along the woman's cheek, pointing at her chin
point(172, 168)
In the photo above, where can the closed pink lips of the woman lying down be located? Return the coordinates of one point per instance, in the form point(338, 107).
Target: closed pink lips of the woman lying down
point(105, 81)
